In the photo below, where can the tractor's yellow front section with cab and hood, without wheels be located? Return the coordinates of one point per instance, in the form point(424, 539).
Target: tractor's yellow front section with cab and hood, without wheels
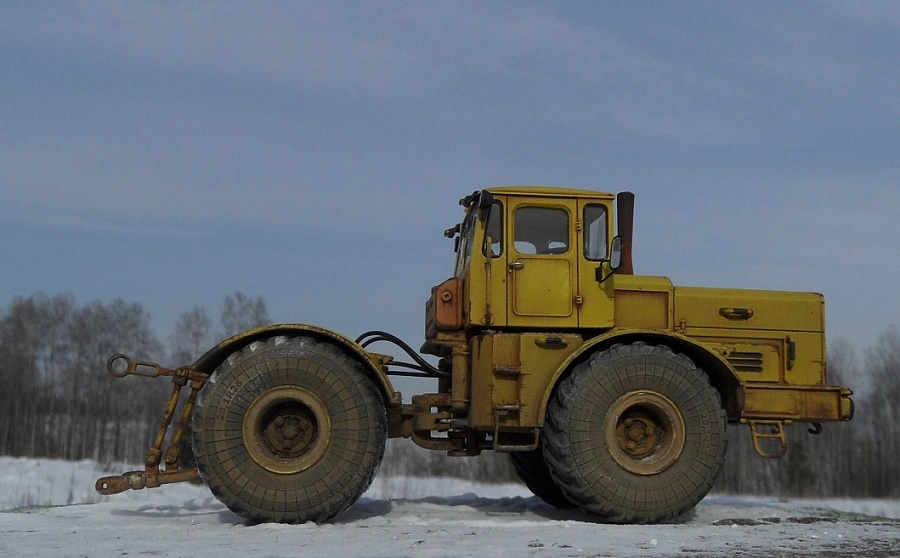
point(534, 291)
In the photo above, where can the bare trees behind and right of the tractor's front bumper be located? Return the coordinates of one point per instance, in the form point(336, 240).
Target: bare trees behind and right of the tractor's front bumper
point(859, 459)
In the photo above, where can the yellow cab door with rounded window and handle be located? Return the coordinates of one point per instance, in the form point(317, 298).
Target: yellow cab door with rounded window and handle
point(542, 263)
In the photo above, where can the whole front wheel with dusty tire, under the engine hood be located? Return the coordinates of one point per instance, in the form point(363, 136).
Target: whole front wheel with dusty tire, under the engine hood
point(635, 434)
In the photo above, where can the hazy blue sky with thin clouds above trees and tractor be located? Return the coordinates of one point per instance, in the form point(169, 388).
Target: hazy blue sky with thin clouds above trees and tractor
point(313, 153)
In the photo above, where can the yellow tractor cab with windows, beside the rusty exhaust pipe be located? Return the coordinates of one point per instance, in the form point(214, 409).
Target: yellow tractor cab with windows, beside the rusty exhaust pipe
point(534, 258)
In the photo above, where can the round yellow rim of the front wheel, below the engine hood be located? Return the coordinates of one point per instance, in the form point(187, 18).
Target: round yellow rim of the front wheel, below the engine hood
point(644, 432)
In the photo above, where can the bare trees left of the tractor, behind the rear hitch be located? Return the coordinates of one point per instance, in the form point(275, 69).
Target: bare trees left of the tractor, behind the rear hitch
point(56, 399)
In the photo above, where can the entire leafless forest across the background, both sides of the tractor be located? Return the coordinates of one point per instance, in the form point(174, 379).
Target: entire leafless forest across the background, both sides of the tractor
point(57, 401)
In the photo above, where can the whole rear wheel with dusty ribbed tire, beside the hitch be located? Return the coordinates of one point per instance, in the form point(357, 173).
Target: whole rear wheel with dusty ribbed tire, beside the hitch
point(289, 430)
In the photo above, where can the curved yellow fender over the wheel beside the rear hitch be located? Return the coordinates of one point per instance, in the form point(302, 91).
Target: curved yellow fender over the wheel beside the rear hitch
point(373, 367)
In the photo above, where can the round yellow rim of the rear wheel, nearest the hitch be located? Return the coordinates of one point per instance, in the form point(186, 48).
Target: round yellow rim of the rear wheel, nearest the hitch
point(286, 430)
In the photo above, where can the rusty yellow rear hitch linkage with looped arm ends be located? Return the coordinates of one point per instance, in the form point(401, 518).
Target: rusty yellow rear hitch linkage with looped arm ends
point(153, 474)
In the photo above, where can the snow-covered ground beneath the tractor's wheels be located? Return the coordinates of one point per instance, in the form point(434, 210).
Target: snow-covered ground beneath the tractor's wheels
point(49, 508)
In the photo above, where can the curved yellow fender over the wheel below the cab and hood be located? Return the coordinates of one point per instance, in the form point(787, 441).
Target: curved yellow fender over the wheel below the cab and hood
point(721, 374)
